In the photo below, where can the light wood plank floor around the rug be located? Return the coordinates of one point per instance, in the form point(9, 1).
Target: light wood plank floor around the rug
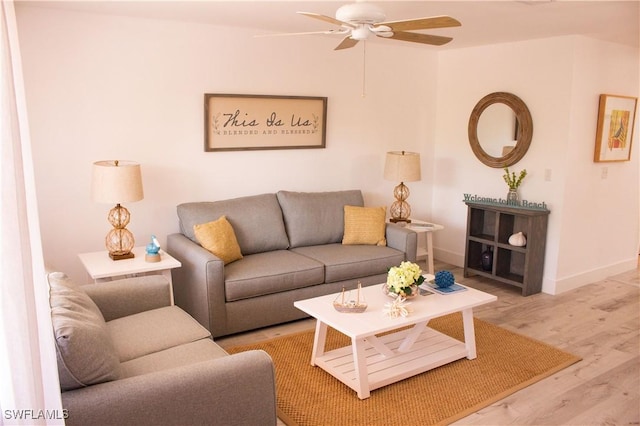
point(599, 322)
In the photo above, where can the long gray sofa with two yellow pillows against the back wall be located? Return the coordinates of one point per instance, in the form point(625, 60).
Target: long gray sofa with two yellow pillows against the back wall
point(292, 250)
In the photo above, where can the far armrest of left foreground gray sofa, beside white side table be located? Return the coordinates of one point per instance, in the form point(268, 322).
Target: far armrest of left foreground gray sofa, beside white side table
point(130, 296)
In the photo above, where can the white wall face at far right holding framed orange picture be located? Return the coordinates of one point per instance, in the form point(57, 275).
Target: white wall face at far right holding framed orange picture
point(599, 230)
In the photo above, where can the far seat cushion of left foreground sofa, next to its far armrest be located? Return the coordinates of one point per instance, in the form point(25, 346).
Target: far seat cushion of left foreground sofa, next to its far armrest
point(153, 331)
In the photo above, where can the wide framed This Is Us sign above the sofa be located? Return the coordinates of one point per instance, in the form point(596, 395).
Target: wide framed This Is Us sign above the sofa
point(255, 122)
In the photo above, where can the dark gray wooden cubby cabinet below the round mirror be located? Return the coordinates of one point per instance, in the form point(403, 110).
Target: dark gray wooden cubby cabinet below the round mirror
point(489, 227)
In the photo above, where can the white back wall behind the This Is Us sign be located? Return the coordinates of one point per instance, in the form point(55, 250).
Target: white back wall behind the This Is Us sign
point(105, 87)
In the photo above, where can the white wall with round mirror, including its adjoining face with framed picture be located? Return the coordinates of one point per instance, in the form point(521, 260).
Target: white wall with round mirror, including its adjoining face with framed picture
point(560, 80)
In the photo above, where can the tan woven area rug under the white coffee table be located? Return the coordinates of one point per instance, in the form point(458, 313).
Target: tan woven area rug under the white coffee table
point(506, 362)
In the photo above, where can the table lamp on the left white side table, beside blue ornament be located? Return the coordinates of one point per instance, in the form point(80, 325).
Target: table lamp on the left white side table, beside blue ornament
point(117, 182)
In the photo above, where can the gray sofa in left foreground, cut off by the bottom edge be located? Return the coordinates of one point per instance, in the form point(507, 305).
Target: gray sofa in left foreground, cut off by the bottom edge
point(127, 357)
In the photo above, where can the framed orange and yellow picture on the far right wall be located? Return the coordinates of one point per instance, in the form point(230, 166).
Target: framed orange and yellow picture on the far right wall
point(616, 118)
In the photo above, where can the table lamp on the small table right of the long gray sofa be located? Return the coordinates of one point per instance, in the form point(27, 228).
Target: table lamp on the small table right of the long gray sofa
point(401, 166)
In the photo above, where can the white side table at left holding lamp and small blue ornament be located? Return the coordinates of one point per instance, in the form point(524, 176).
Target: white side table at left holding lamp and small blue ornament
point(101, 268)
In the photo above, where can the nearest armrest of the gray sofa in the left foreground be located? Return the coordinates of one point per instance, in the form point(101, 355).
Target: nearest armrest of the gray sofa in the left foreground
point(233, 390)
